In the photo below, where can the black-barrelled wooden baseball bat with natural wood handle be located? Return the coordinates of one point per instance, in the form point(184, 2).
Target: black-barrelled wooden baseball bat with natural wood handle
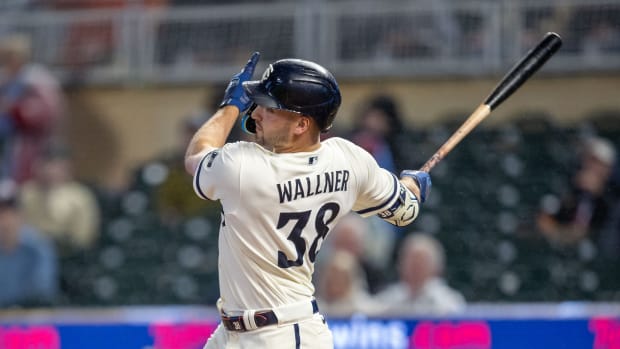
point(522, 71)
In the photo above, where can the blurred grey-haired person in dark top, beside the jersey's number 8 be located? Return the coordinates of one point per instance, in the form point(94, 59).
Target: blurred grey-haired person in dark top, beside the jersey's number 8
point(351, 235)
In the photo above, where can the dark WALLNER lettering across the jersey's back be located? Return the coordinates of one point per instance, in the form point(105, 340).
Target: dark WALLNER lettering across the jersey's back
point(300, 188)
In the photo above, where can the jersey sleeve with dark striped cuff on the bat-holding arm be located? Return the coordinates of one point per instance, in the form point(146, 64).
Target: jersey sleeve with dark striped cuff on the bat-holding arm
point(378, 188)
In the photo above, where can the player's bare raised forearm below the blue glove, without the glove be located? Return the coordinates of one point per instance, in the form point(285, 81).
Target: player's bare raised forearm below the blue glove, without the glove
point(211, 135)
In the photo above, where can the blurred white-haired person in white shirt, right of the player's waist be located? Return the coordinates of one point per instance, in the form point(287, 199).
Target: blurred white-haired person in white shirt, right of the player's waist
point(421, 289)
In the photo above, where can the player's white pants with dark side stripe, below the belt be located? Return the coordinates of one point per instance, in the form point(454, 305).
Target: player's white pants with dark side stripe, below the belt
point(311, 333)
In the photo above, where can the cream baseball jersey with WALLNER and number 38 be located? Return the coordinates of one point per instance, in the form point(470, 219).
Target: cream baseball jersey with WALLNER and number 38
point(278, 209)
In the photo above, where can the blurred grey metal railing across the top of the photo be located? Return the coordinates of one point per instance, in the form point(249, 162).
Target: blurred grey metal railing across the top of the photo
point(355, 39)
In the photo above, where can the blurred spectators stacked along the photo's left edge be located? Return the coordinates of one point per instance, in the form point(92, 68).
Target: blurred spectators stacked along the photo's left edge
point(46, 215)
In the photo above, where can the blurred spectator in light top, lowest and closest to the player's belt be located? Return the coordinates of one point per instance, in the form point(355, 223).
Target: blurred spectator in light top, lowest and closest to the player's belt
point(341, 290)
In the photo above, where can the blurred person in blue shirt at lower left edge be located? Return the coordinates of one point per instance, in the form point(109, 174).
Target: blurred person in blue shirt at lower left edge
point(28, 265)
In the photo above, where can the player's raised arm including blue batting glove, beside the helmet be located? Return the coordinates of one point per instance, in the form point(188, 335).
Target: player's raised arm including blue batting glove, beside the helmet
point(215, 131)
